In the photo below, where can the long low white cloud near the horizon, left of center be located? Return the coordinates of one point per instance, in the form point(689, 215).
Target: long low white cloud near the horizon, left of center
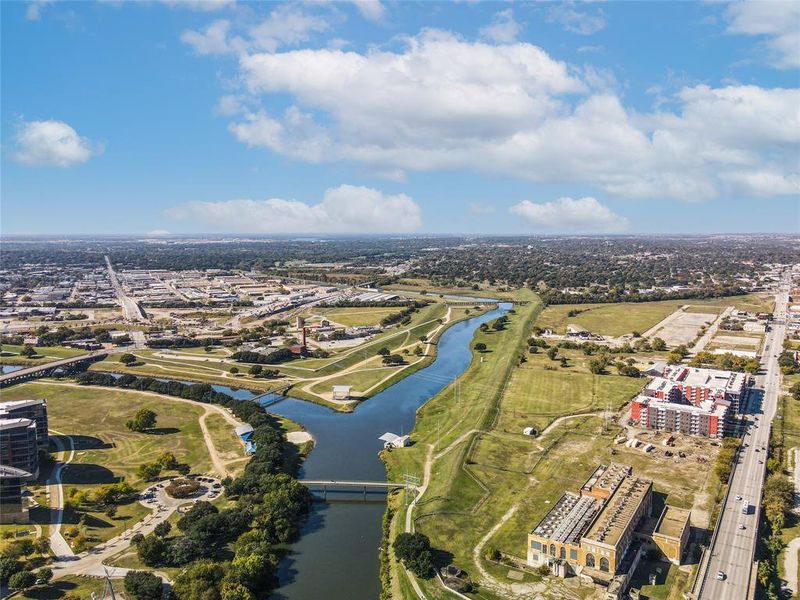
point(344, 209)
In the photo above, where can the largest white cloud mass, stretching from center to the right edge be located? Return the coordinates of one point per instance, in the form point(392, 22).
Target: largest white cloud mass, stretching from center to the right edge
point(443, 103)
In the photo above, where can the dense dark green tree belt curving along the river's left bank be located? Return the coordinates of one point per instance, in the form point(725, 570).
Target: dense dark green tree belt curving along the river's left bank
point(269, 505)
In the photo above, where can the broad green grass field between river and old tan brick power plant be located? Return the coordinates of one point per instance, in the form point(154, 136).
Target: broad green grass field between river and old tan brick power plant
point(482, 465)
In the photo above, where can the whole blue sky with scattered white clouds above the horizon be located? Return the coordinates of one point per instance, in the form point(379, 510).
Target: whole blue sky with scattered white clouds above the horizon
point(400, 117)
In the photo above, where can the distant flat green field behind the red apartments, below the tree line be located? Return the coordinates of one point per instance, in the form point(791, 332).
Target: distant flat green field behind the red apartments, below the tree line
point(626, 317)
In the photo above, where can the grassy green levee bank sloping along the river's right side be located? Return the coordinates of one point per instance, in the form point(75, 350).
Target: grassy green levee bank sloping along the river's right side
point(446, 428)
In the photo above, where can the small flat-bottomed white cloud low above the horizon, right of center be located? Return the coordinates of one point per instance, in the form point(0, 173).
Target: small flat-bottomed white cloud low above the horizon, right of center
point(581, 215)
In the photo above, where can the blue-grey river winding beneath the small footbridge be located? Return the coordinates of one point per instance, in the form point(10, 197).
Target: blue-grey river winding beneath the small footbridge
point(337, 555)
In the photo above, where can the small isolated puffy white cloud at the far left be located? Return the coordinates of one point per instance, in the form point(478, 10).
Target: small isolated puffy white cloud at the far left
point(51, 143)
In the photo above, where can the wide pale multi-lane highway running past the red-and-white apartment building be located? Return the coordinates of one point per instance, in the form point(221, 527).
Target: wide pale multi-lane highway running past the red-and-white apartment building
point(732, 548)
